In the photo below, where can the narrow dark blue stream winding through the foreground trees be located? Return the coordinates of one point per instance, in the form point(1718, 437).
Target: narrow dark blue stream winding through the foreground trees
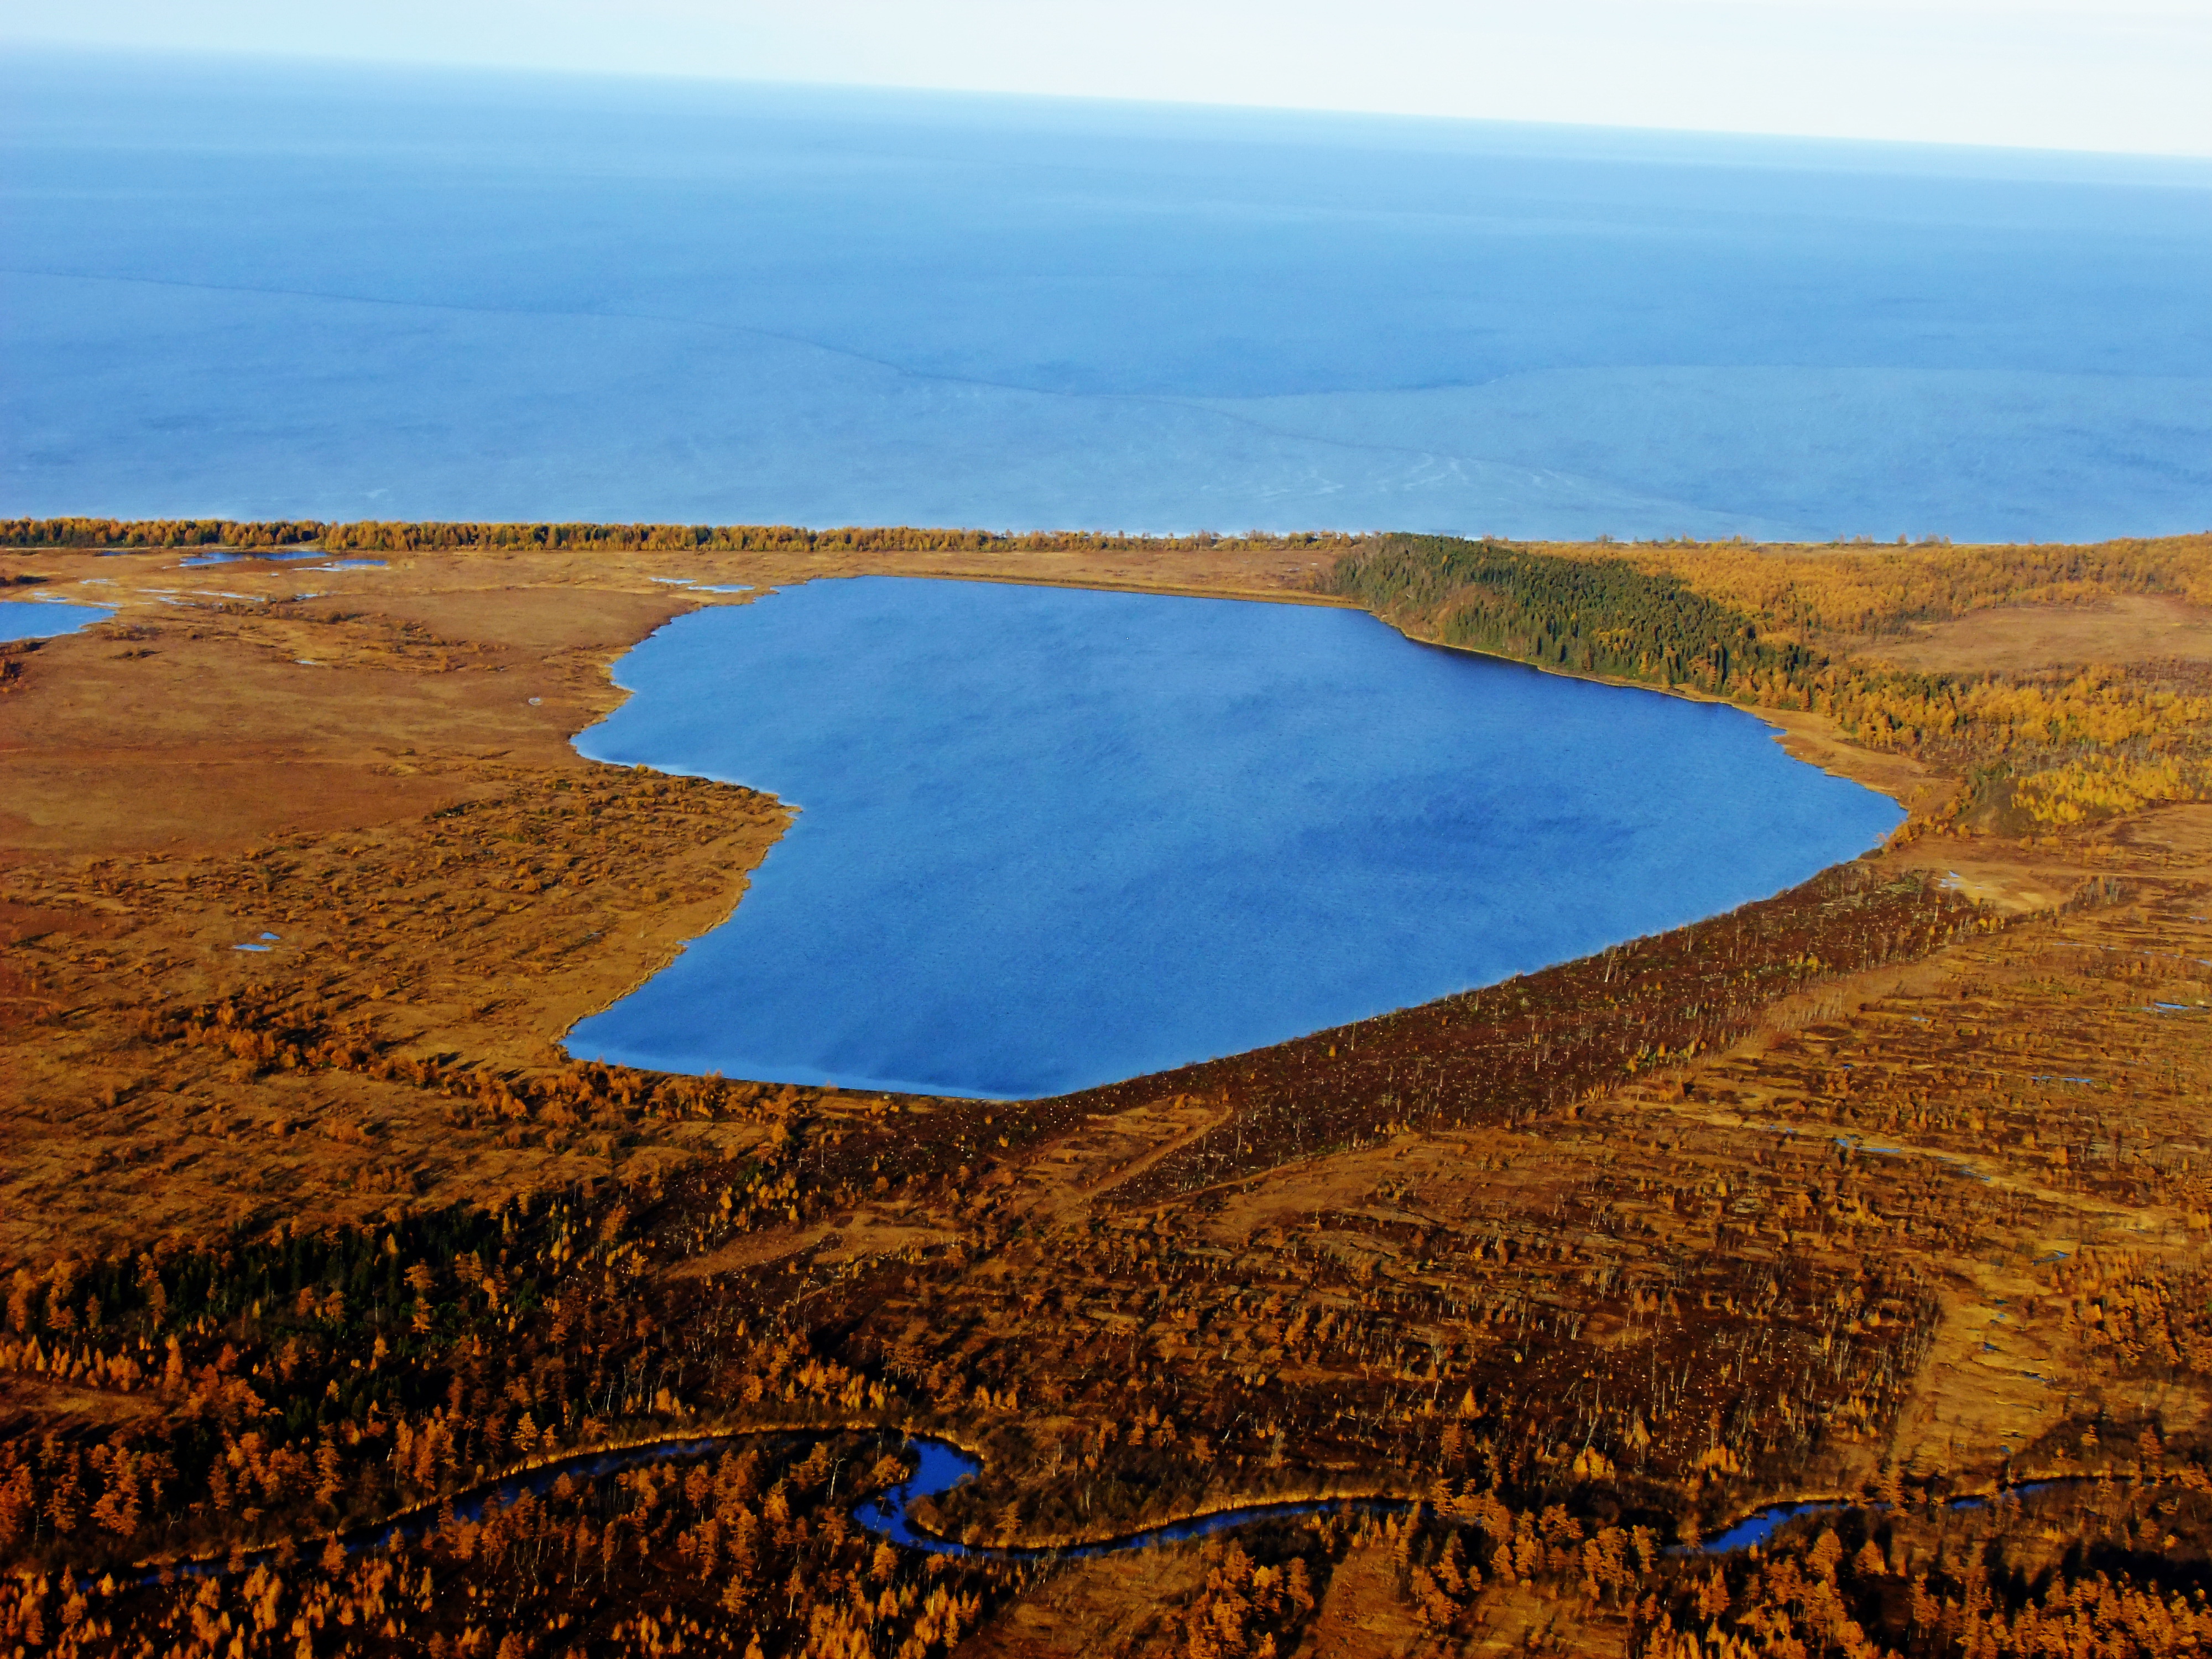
point(941, 1468)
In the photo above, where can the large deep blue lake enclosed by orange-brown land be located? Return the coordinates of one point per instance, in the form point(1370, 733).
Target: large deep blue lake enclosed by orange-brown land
point(1050, 837)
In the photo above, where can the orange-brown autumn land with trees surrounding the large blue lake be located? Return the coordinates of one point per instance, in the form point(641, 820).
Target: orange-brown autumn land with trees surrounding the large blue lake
point(1886, 1196)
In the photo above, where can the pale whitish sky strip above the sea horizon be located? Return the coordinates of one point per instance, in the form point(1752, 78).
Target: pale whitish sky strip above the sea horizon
point(2049, 74)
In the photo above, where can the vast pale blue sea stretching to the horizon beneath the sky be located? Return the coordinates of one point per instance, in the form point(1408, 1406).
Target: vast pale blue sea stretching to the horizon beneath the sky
point(298, 291)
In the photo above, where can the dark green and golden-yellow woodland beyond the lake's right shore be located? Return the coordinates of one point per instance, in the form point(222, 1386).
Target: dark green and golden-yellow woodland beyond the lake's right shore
point(1793, 629)
